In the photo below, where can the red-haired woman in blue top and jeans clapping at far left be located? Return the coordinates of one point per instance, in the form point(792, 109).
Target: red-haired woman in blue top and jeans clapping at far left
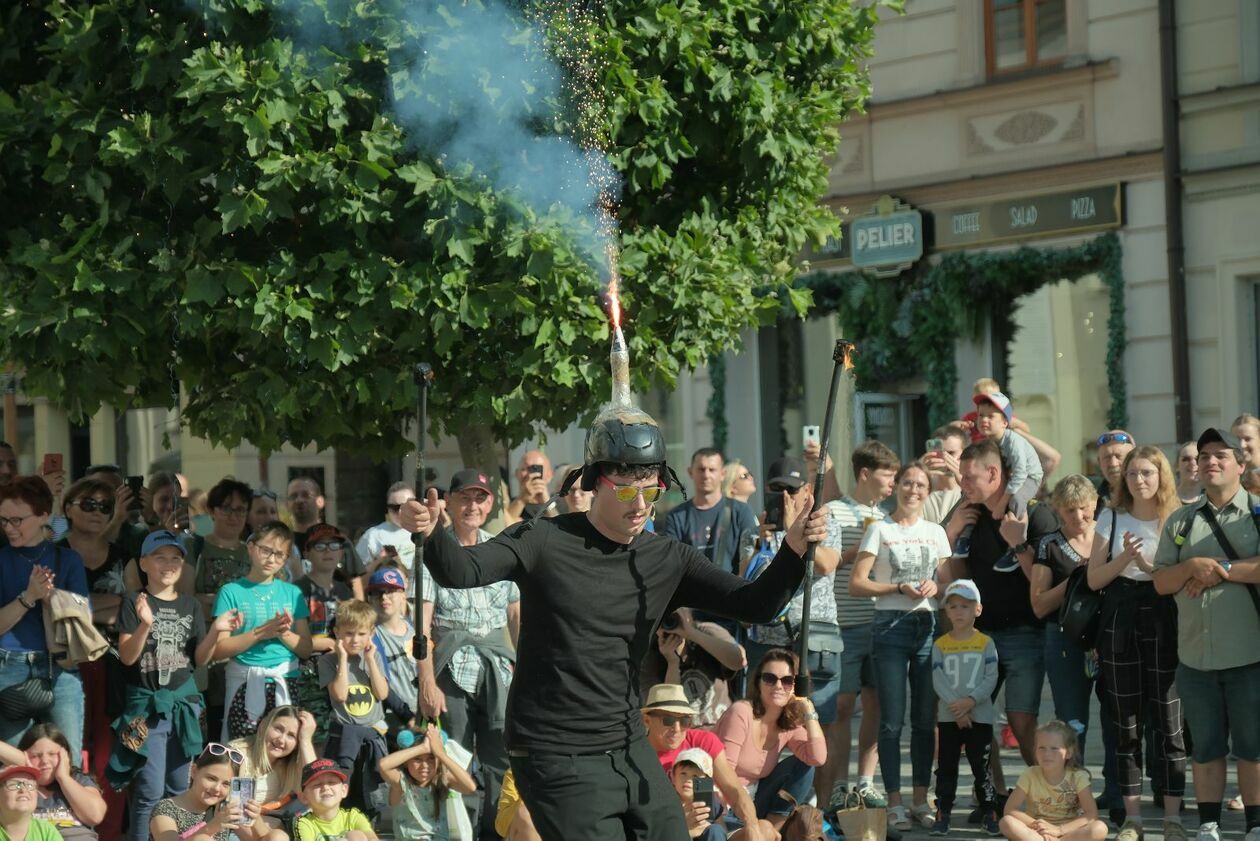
point(32, 687)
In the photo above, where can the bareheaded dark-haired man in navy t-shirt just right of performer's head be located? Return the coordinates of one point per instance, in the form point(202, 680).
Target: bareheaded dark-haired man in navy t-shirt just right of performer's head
point(709, 521)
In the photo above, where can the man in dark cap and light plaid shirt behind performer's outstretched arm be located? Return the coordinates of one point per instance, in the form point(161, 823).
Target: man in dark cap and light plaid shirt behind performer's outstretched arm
point(467, 679)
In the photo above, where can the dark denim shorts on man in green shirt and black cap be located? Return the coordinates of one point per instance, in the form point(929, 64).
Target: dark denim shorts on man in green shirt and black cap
point(1222, 707)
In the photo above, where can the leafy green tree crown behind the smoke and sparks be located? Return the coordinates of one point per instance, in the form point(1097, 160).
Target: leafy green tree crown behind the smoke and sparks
point(220, 195)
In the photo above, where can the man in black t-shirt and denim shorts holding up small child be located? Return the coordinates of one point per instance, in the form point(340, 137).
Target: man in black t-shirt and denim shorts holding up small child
point(1009, 617)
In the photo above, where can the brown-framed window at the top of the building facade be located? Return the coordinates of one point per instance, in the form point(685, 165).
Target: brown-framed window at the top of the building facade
point(1021, 35)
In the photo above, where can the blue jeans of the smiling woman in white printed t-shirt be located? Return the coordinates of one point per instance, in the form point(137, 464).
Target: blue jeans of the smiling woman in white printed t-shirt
point(903, 644)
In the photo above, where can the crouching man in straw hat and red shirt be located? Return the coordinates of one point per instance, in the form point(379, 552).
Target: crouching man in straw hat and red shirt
point(667, 717)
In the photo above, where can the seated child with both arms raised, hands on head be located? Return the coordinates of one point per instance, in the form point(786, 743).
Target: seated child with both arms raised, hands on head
point(423, 779)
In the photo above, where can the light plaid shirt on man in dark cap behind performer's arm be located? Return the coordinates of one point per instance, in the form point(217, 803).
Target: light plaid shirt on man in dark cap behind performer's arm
point(479, 611)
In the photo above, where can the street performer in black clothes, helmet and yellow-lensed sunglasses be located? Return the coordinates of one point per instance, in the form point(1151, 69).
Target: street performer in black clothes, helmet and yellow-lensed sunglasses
point(594, 588)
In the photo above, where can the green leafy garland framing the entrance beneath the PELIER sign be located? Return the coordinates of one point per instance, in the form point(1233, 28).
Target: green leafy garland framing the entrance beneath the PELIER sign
point(909, 326)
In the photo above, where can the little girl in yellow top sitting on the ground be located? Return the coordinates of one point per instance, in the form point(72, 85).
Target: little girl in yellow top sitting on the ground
point(1054, 797)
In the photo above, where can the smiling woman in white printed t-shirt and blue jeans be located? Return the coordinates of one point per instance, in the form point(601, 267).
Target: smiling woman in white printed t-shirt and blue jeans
point(898, 564)
